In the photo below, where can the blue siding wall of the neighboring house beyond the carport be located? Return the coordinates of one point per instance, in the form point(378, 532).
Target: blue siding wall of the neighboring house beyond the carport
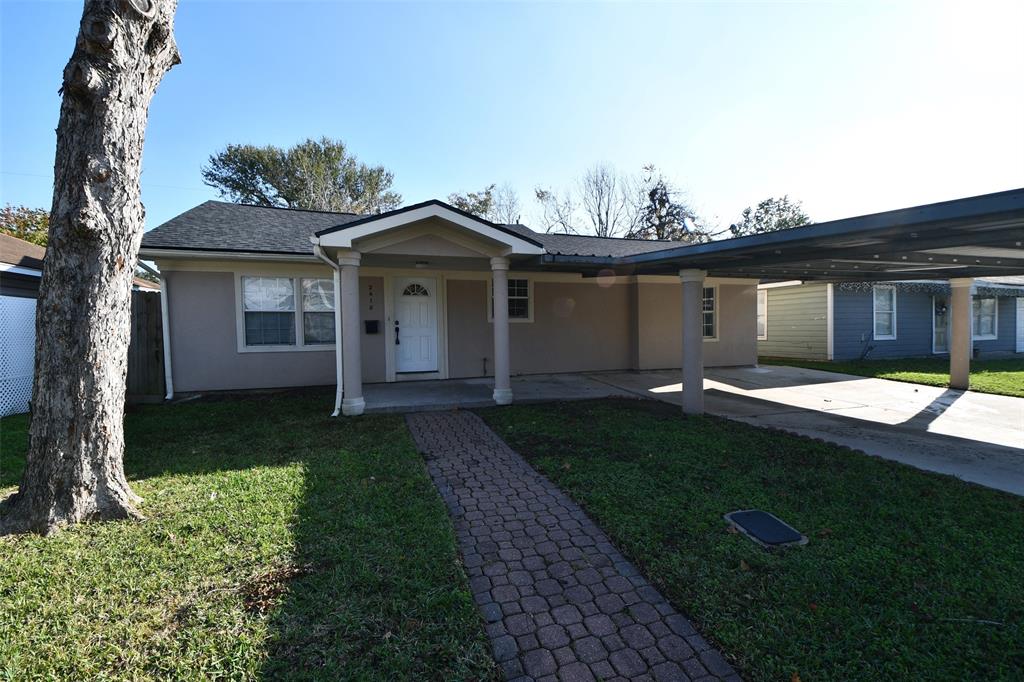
point(854, 326)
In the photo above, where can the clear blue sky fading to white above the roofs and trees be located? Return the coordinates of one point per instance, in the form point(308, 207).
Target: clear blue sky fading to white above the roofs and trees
point(851, 108)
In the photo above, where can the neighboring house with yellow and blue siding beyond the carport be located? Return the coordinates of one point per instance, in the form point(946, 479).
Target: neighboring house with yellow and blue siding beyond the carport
point(854, 321)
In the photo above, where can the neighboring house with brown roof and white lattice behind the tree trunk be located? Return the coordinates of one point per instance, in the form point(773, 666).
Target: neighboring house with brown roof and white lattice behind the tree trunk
point(21, 272)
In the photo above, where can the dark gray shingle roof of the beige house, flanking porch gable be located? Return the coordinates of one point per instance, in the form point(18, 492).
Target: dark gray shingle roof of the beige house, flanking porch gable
point(223, 227)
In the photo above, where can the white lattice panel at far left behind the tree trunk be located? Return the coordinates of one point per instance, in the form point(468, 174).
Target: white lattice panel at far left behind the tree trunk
point(18, 347)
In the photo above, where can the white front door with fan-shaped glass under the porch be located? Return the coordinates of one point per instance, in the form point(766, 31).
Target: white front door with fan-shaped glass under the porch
point(415, 325)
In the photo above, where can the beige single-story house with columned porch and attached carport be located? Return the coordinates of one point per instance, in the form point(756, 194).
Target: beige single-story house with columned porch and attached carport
point(258, 297)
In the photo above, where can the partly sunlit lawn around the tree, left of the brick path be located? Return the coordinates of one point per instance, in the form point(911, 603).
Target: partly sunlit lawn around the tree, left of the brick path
point(280, 544)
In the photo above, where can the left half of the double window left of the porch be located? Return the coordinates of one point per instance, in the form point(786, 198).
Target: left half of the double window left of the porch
point(269, 305)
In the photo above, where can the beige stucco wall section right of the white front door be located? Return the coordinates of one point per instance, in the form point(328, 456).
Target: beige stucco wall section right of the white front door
point(589, 327)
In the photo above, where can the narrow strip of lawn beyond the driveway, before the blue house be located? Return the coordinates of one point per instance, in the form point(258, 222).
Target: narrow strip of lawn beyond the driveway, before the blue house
point(1005, 377)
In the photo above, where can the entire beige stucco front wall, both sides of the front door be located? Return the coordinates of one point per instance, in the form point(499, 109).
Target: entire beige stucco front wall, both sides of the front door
point(578, 327)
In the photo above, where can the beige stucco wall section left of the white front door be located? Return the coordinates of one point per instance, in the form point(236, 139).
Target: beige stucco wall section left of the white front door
point(204, 340)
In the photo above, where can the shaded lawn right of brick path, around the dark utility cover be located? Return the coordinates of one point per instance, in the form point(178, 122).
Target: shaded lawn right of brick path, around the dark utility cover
point(908, 576)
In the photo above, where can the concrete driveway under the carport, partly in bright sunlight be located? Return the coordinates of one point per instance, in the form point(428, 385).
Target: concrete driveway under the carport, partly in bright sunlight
point(975, 437)
